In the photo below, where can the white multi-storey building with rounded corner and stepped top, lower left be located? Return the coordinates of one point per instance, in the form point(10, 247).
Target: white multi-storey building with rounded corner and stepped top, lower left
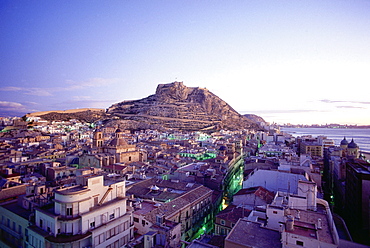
point(91, 214)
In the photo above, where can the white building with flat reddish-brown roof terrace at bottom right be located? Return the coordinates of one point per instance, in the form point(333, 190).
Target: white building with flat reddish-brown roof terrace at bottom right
point(302, 219)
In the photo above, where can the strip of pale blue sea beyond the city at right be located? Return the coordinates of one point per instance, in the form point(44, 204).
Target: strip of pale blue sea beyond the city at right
point(360, 136)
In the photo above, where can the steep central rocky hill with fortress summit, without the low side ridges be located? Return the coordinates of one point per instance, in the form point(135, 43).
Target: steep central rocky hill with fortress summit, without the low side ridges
point(179, 107)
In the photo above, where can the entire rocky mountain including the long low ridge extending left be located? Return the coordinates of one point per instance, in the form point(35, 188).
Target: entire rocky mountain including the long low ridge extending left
point(173, 106)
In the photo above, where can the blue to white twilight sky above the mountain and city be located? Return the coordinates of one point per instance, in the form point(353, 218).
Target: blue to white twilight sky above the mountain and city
point(299, 62)
